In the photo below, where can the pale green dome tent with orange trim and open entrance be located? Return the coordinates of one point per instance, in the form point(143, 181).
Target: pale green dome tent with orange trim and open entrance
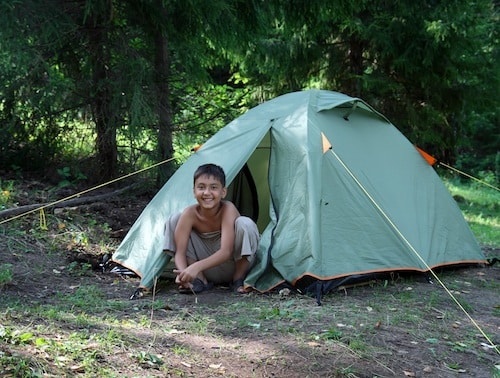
point(336, 190)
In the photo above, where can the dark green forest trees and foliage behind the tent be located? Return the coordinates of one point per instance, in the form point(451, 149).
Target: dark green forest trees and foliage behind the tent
point(122, 84)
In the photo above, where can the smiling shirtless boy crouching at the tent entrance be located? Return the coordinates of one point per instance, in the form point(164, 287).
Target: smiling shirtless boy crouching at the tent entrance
point(212, 242)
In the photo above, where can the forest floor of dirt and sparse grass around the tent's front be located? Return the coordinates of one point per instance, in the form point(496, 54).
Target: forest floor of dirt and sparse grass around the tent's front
point(82, 323)
